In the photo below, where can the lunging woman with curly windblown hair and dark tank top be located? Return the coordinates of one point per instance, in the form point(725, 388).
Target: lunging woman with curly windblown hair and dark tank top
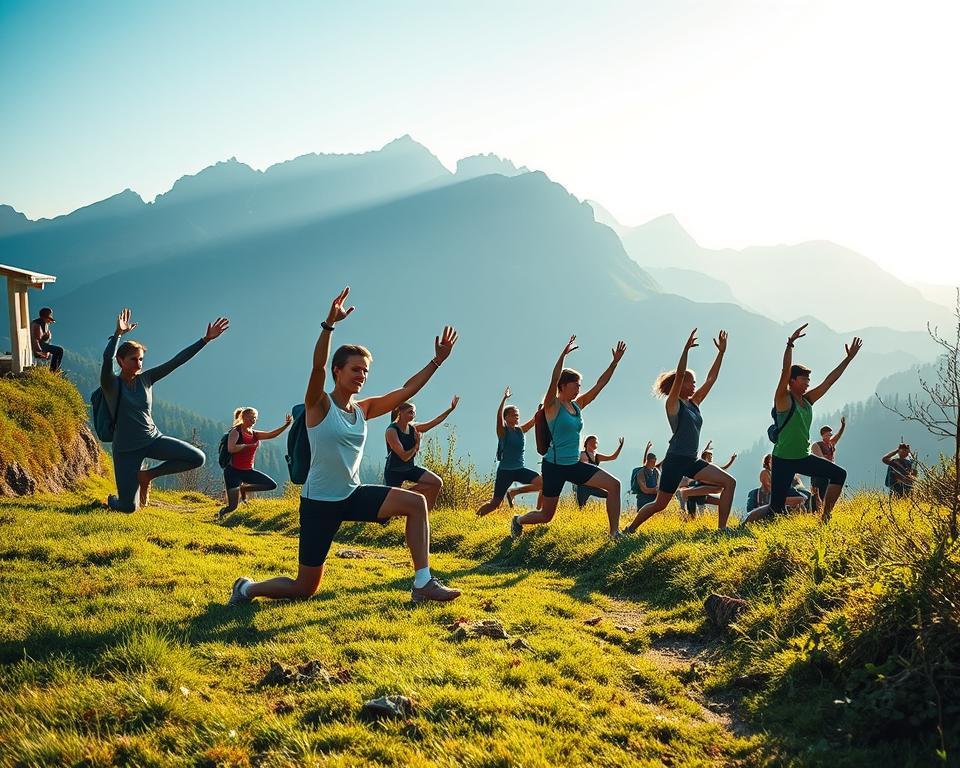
point(683, 413)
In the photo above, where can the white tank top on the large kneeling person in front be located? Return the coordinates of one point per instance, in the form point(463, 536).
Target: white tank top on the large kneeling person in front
point(336, 448)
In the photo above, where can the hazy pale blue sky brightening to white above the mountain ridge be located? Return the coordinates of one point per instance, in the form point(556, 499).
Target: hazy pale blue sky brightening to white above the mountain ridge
point(755, 122)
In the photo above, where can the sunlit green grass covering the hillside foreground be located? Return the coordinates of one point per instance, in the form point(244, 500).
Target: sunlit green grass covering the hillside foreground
point(117, 647)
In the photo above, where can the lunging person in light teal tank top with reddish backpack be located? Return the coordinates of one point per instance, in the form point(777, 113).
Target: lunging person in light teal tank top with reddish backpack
point(562, 408)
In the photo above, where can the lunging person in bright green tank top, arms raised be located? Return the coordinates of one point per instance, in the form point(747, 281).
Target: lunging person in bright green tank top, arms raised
point(793, 405)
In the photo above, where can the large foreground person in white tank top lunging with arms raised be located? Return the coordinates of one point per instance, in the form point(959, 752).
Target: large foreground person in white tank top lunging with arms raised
point(336, 426)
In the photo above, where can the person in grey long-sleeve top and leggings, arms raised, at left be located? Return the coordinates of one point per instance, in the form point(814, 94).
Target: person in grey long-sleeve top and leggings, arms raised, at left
point(129, 397)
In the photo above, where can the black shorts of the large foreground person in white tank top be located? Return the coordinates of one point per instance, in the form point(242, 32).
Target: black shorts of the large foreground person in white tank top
point(320, 520)
